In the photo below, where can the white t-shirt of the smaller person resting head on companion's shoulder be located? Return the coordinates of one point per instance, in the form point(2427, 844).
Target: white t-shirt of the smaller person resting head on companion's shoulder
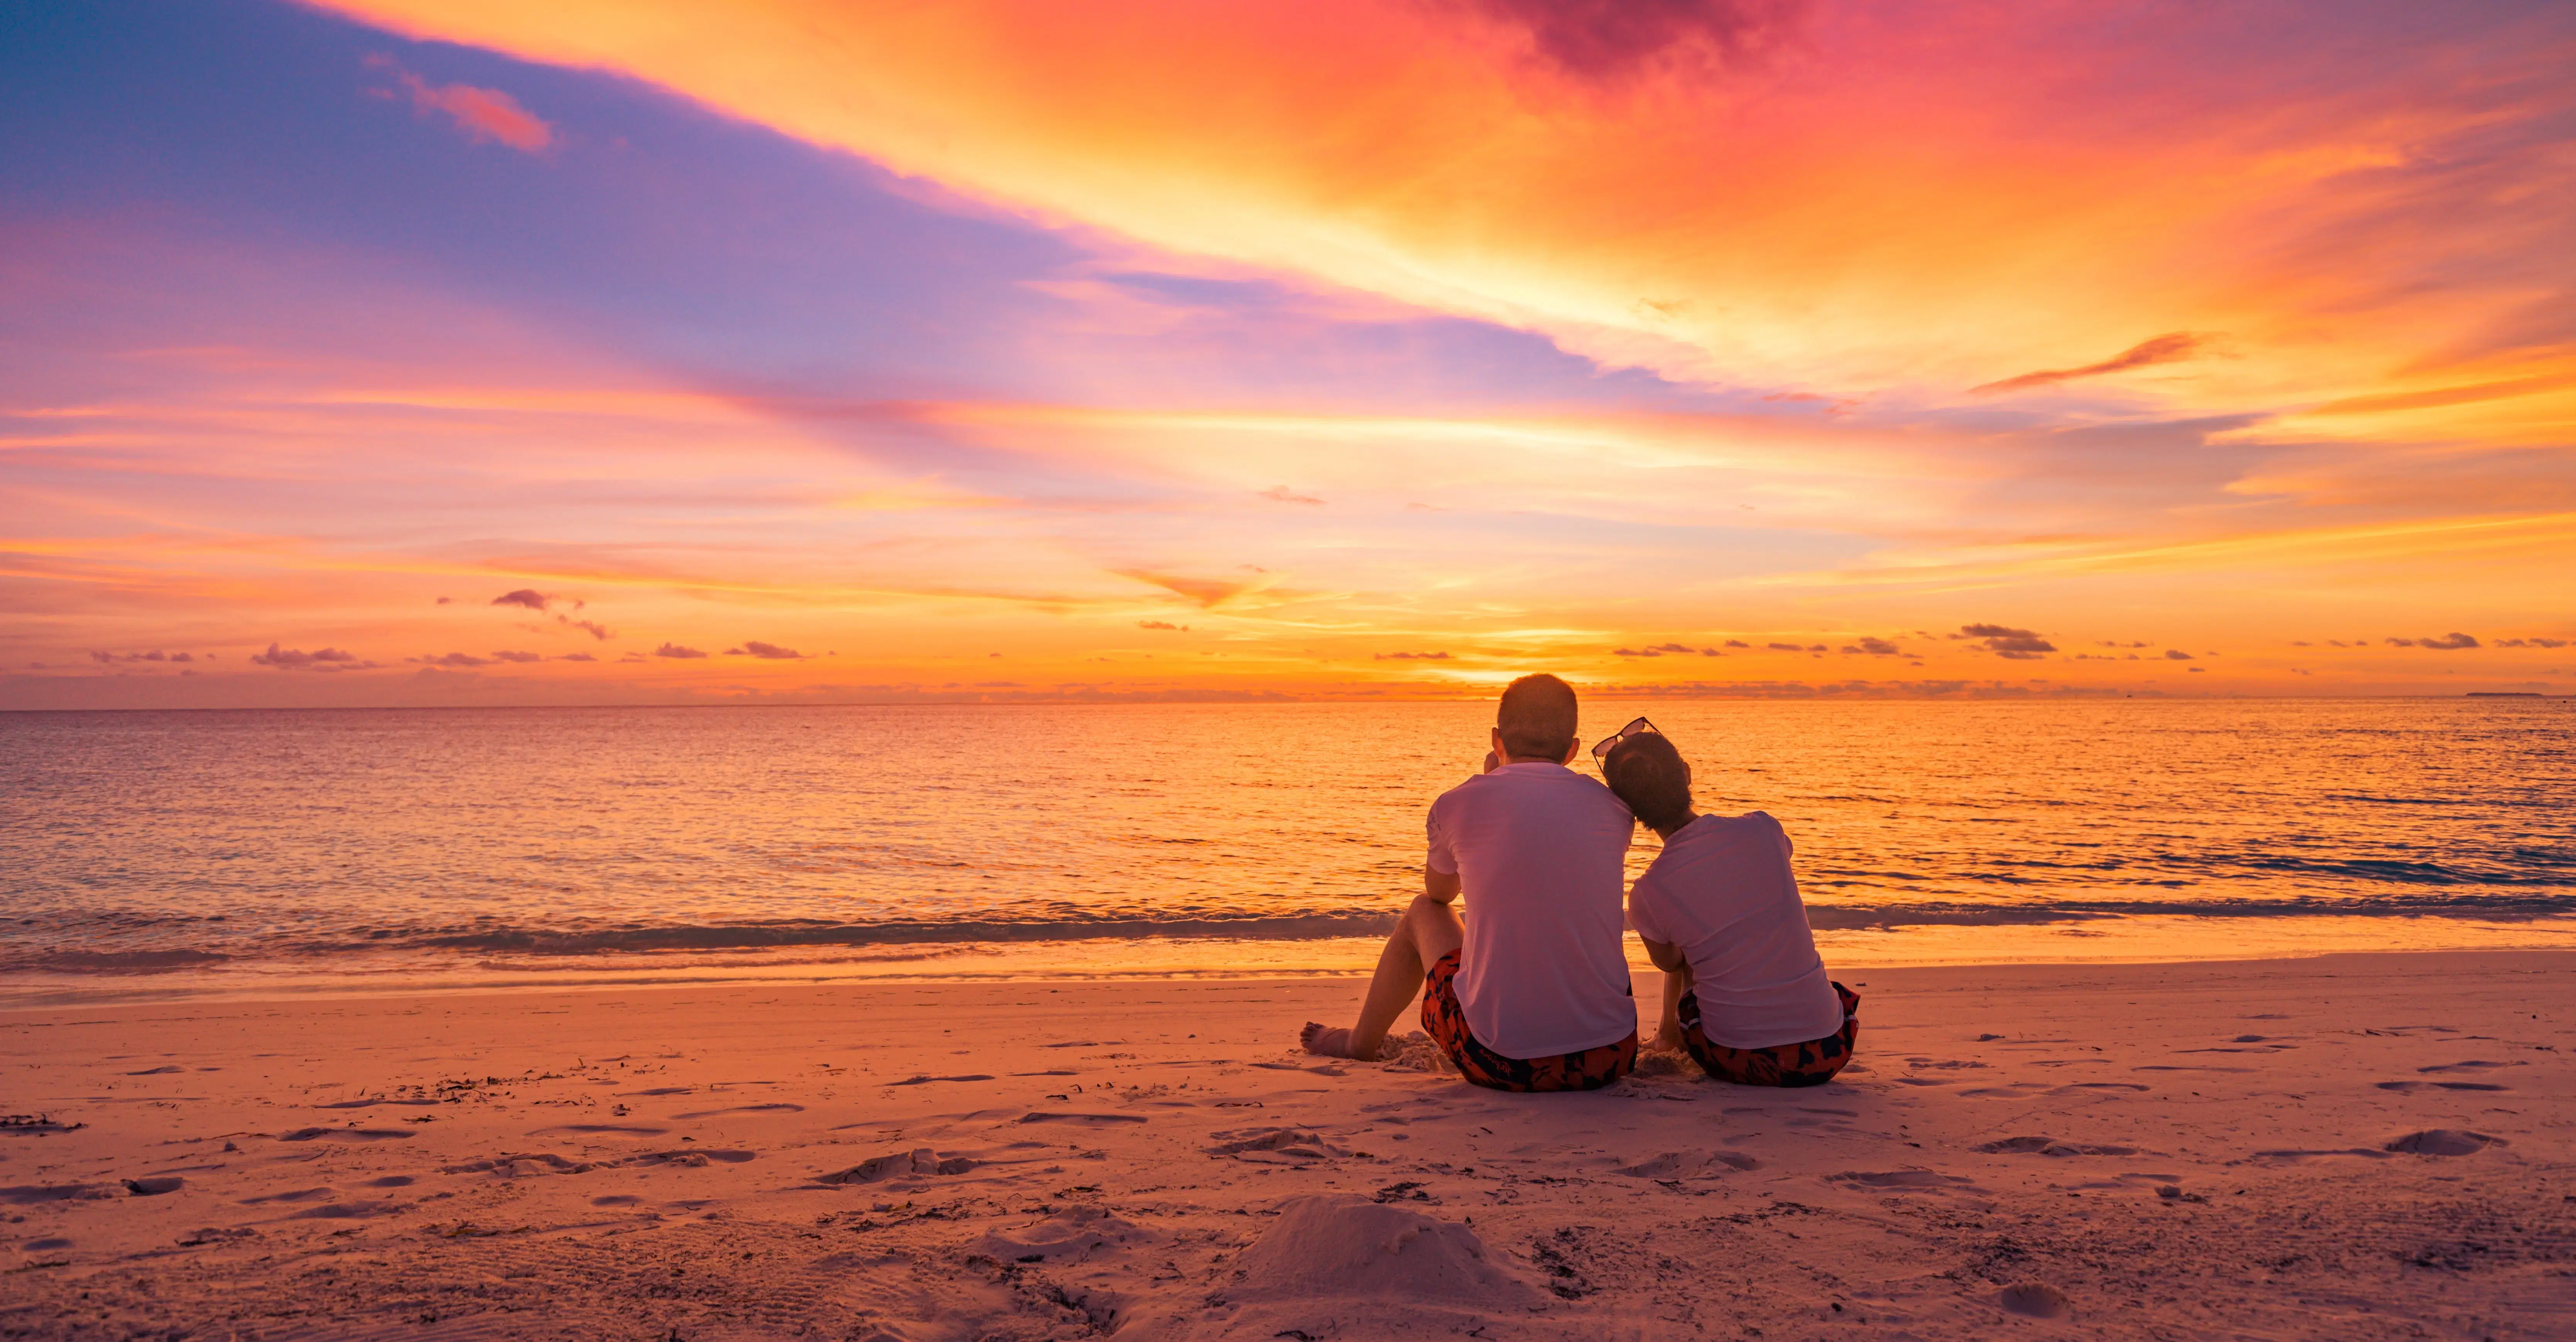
point(1725, 895)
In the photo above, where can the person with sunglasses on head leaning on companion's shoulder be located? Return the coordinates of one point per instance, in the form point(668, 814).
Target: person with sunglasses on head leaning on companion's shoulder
point(1719, 913)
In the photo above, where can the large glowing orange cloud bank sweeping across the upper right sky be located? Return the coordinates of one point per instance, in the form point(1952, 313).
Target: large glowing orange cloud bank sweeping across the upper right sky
point(1743, 192)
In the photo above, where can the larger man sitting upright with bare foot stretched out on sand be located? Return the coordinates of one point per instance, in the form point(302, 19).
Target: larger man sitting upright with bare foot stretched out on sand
point(1534, 990)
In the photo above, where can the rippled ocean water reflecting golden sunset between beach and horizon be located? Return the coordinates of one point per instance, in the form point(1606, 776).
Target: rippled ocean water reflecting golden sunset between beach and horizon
point(287, 851)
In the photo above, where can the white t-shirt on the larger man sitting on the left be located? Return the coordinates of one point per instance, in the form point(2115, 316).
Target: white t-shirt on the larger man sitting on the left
point(1539, 854)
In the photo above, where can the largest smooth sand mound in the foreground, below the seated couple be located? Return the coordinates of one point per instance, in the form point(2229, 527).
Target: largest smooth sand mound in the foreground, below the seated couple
point(1341, 1245)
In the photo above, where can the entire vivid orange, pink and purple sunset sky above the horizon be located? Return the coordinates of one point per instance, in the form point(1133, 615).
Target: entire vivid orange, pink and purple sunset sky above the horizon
point(625, 352)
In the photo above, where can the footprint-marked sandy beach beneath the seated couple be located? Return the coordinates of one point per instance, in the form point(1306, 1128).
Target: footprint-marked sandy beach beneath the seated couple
point(2338, 1148)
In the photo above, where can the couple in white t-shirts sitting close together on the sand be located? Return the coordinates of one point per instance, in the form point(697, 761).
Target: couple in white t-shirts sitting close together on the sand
point(1534, 990)
